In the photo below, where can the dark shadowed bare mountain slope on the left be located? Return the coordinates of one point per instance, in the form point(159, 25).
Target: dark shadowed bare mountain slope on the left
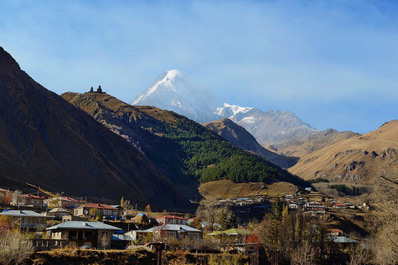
point(46, 141)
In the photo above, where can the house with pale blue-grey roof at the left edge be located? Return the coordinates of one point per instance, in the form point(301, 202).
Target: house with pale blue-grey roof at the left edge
point(26, 219)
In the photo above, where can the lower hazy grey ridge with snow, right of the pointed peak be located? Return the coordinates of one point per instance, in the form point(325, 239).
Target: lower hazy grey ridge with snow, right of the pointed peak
point(267, 127)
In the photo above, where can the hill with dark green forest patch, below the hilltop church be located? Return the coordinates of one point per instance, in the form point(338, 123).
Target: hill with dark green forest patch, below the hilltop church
point(183, 149)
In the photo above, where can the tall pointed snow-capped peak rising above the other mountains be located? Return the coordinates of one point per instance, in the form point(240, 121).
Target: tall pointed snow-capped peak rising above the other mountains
point(173, 91)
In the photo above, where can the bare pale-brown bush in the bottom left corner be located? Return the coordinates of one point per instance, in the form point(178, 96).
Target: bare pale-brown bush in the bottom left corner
point(15, 248)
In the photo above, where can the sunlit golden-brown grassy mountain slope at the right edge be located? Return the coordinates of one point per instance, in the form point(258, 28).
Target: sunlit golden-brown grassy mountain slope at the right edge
point(359, 159)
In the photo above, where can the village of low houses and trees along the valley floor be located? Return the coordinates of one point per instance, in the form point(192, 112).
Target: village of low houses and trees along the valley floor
point(55, 221)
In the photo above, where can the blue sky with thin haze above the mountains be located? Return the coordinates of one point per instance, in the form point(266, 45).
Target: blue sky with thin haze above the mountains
point(333, 63)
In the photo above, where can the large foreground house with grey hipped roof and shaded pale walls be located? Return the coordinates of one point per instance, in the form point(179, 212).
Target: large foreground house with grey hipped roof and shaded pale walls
point(84, 234)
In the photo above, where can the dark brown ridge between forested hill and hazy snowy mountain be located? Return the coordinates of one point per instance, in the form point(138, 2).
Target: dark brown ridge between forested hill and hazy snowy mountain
point(240, 137)
